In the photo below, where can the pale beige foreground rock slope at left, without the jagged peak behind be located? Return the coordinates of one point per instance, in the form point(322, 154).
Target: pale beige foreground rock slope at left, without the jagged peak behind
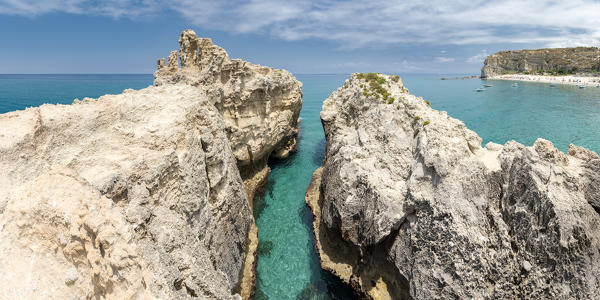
point(134, 195)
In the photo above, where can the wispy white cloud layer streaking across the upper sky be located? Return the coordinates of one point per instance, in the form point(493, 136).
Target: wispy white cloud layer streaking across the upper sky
point(359, 23)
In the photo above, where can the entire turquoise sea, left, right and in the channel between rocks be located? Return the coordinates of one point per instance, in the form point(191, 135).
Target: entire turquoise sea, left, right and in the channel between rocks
point(288, 267)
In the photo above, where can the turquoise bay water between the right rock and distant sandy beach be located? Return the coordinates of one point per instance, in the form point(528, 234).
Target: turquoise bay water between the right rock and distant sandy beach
point(563, 114)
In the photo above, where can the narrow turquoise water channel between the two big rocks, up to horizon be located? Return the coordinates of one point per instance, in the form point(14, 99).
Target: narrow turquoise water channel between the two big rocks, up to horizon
point(288, 266)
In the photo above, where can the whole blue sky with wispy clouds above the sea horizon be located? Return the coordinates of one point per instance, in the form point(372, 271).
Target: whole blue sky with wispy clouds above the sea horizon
point(303, 36)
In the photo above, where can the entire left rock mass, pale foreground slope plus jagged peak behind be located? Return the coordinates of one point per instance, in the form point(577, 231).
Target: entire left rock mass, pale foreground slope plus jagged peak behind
point(146, 194)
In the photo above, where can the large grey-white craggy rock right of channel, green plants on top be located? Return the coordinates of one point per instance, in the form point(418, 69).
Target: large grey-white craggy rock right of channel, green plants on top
point(410, 206)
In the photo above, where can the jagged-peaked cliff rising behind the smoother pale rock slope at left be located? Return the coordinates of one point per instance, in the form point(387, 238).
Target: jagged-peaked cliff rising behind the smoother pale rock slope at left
point(260, 105)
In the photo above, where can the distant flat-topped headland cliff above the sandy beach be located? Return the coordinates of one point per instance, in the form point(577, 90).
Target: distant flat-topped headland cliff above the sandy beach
point(561, 60)
